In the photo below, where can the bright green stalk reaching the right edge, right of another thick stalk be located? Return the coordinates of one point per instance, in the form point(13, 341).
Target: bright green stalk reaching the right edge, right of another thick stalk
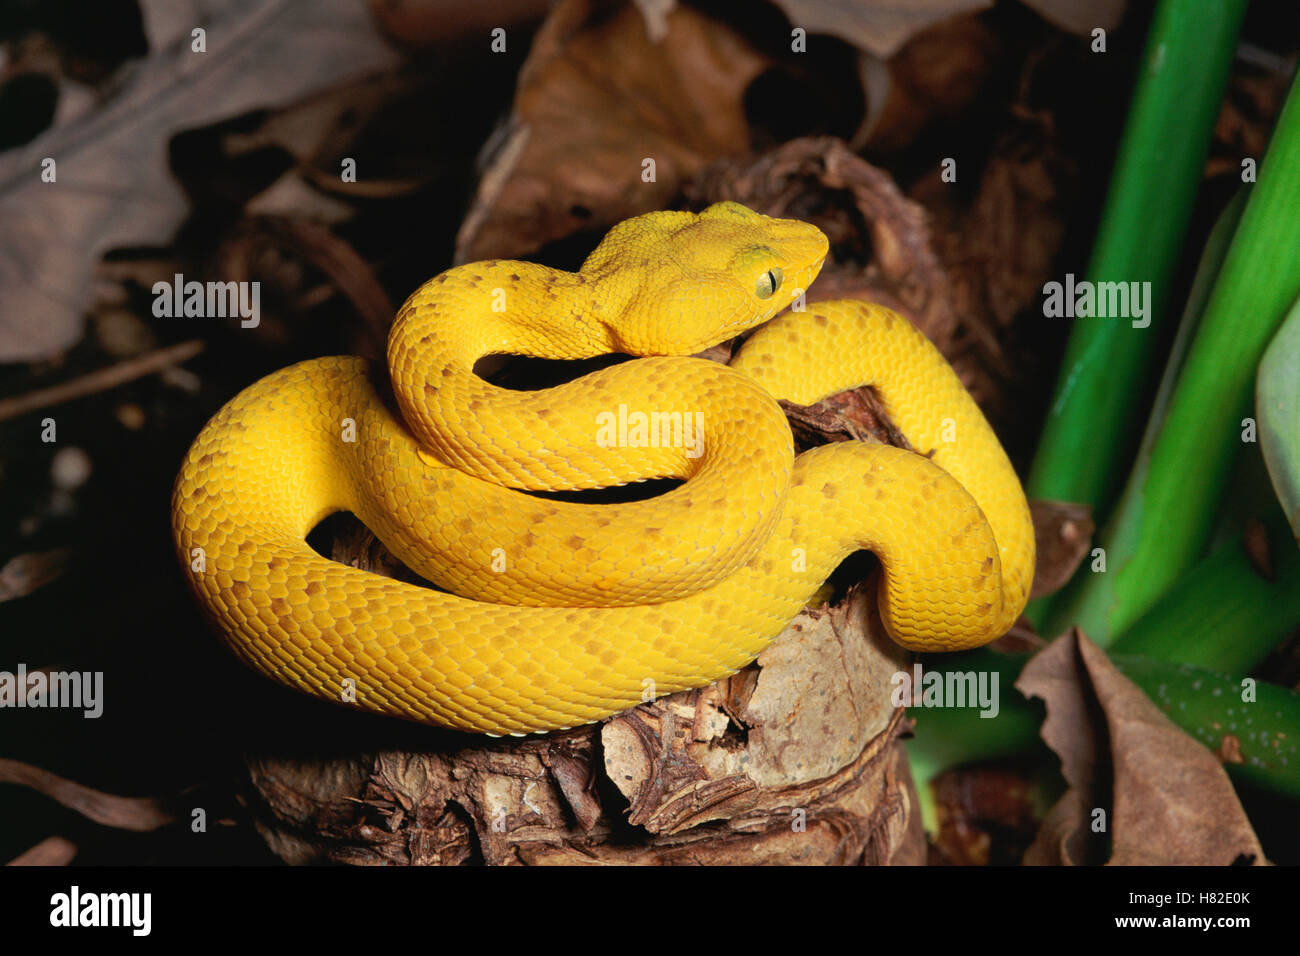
point(1167, 514)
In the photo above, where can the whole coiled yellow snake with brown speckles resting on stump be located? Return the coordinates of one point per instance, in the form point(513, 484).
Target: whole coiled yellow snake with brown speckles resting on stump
point(566, 613)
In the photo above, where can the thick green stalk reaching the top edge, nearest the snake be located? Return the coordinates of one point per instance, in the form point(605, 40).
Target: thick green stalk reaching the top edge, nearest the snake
point(1090, 426)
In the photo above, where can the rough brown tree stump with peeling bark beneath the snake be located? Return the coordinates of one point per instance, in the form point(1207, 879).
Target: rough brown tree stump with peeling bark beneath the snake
point(794, 760)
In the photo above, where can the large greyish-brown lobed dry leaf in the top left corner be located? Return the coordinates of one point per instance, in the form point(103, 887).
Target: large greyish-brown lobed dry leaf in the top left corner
point(114, 187)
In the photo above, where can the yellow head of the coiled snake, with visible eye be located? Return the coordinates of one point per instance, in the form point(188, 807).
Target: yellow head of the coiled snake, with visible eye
point(694, 280)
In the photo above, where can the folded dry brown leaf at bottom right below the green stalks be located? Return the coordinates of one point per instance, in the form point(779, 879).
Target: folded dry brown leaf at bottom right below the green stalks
point(1169, 801)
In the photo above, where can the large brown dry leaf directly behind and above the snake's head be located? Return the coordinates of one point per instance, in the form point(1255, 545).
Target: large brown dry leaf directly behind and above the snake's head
point(596, 100)
